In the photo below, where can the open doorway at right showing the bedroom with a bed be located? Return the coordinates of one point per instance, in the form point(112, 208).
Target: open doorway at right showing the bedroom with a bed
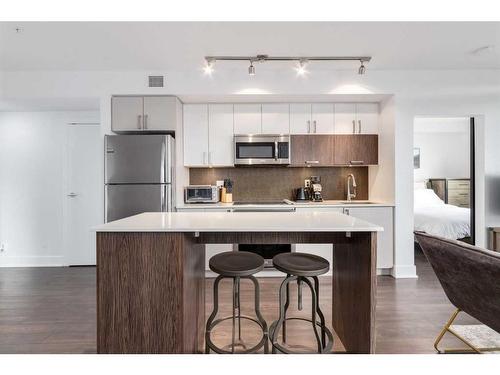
point(444, 177)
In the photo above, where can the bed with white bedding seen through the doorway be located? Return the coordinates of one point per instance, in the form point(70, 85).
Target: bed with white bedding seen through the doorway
point(433, 216)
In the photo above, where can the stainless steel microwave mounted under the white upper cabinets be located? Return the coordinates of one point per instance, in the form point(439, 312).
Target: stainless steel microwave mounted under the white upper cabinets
point(262, 149)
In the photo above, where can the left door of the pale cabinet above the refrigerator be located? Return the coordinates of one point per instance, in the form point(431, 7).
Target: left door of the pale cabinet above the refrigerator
point(126, 113)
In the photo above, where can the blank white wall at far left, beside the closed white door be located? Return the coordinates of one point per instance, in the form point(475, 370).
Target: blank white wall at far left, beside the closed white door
point(31, 196)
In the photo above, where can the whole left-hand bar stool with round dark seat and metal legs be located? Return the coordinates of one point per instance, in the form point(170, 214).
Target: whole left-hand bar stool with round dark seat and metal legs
point(236, 265)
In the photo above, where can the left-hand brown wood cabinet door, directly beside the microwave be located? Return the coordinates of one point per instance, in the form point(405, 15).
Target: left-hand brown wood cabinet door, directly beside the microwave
point(314, 150)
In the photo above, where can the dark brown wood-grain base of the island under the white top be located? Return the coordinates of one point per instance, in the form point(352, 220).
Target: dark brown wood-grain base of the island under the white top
point(151, 289)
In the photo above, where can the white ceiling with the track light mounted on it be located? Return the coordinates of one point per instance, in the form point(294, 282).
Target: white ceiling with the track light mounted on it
point(163, 46)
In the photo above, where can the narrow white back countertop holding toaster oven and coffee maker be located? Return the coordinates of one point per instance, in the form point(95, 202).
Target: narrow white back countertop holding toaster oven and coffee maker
point(325, 203)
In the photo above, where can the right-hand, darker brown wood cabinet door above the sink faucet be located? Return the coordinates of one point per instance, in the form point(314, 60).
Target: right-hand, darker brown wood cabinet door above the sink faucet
point(356, 149)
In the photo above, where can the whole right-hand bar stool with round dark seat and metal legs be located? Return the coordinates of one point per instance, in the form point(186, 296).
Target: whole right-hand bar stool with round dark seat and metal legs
point(300, 267)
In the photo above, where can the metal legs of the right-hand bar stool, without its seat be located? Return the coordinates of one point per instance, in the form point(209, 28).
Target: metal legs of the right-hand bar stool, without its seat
point(323, 345)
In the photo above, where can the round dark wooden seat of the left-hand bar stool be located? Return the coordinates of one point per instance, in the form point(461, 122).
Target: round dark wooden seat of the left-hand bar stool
point(236, 263)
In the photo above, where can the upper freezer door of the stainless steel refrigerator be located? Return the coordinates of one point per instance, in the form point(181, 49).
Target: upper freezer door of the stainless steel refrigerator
point(145, 159)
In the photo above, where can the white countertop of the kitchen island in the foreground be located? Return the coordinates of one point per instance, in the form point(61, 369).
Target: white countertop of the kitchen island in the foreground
point(310, 221)
